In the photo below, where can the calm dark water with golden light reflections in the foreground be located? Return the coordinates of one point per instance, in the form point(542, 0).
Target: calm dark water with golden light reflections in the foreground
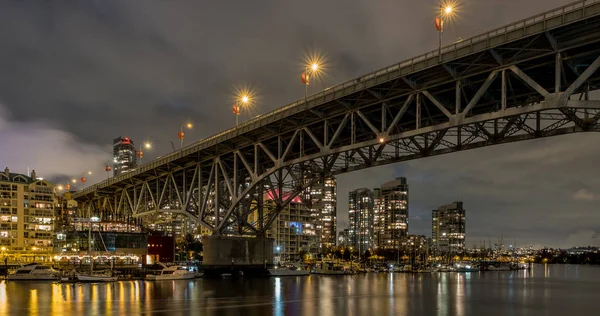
point(546, 290)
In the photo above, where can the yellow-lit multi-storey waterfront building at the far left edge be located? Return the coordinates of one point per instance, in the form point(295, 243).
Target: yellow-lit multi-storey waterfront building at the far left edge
point(27, 206)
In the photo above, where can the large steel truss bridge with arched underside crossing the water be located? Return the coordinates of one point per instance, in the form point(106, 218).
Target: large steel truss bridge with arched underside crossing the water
point(525, 80)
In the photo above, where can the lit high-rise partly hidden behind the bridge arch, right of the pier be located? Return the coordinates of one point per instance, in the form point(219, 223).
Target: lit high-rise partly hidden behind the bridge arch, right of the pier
point(322, 202)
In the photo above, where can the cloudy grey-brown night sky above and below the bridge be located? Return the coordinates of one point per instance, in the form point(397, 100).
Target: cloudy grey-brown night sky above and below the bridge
point(76, 74)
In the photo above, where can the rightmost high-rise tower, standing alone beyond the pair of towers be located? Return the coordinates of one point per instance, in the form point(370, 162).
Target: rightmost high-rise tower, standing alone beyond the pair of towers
point(448, 228)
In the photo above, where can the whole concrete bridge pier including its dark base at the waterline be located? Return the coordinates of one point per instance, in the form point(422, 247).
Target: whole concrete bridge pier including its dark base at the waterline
point(252, 256)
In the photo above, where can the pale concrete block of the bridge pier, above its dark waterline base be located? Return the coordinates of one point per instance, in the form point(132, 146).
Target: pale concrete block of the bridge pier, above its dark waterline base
point(220, 250)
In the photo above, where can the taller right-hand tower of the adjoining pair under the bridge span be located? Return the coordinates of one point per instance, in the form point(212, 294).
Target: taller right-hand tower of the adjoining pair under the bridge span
point(391, 213)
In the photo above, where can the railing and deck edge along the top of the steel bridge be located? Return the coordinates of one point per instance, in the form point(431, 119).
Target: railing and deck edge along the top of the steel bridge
point(425, 60)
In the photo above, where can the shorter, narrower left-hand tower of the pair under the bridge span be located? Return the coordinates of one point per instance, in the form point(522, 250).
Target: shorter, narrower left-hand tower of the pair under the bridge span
point(360, 218)
